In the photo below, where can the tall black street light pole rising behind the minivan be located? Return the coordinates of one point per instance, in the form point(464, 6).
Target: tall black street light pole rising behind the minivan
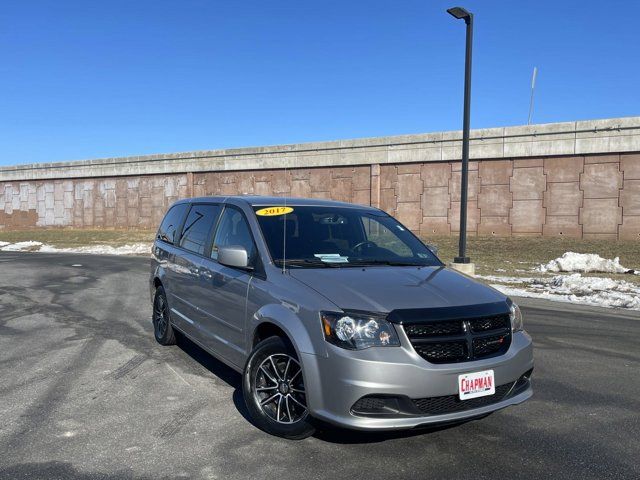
point(461, 13)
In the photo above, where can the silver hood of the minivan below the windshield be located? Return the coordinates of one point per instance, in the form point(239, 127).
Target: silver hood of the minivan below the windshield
point(387, 288)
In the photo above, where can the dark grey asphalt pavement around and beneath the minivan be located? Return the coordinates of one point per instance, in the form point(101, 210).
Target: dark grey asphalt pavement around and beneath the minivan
point(86, 392)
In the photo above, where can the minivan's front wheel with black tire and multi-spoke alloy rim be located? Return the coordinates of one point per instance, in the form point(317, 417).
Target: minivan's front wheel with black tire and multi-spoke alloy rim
point(273, 390)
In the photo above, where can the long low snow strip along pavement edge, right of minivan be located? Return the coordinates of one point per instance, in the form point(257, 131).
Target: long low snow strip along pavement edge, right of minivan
point(574, 288)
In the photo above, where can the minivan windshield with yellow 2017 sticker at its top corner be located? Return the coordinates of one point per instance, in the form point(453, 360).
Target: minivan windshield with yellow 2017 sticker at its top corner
point(330, 236)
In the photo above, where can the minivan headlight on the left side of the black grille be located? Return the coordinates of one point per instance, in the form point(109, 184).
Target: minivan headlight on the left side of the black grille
point(355, 332)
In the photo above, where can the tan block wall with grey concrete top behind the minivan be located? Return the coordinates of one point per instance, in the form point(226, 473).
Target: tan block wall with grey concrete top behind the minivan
point(580, 179)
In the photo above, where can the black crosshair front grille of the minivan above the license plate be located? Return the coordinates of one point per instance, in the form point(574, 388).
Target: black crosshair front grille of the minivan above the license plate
point(460, 340)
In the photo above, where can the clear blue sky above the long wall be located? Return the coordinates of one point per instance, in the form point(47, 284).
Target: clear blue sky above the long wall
point(88, 79)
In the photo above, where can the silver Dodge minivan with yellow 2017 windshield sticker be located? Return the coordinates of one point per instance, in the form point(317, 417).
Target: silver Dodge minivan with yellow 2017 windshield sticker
point(334, 312)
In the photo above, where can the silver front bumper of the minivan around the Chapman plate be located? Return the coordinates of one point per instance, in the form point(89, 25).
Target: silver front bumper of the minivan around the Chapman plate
point(336, 382)
